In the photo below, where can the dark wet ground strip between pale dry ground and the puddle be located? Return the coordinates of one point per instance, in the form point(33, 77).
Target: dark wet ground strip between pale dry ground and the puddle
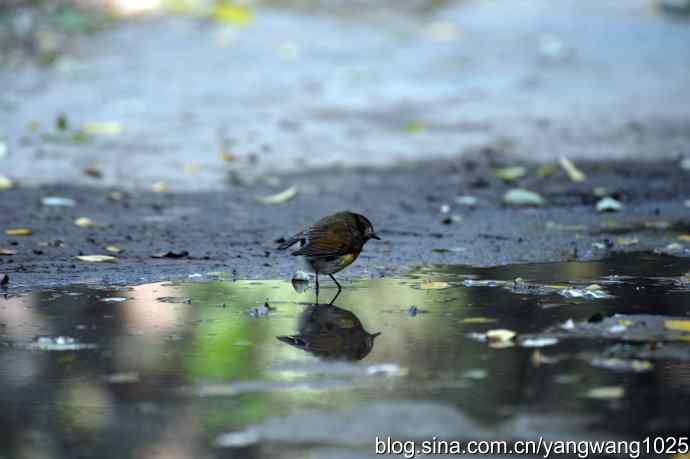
point(231, 231)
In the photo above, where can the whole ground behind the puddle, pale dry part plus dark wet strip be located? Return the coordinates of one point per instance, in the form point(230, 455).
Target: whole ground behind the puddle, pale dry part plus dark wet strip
point(393, 112)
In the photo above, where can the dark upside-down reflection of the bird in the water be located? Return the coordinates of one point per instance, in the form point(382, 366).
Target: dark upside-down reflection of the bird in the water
point(332, 333)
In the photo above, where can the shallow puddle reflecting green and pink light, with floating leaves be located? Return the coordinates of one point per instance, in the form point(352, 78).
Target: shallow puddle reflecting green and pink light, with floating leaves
point(490, 353)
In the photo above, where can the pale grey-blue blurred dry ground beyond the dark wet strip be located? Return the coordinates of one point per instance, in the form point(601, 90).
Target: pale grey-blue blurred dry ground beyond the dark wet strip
point(265, 88)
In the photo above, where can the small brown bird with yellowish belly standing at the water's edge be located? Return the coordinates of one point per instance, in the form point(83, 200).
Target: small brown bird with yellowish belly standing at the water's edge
point(332, 243)
